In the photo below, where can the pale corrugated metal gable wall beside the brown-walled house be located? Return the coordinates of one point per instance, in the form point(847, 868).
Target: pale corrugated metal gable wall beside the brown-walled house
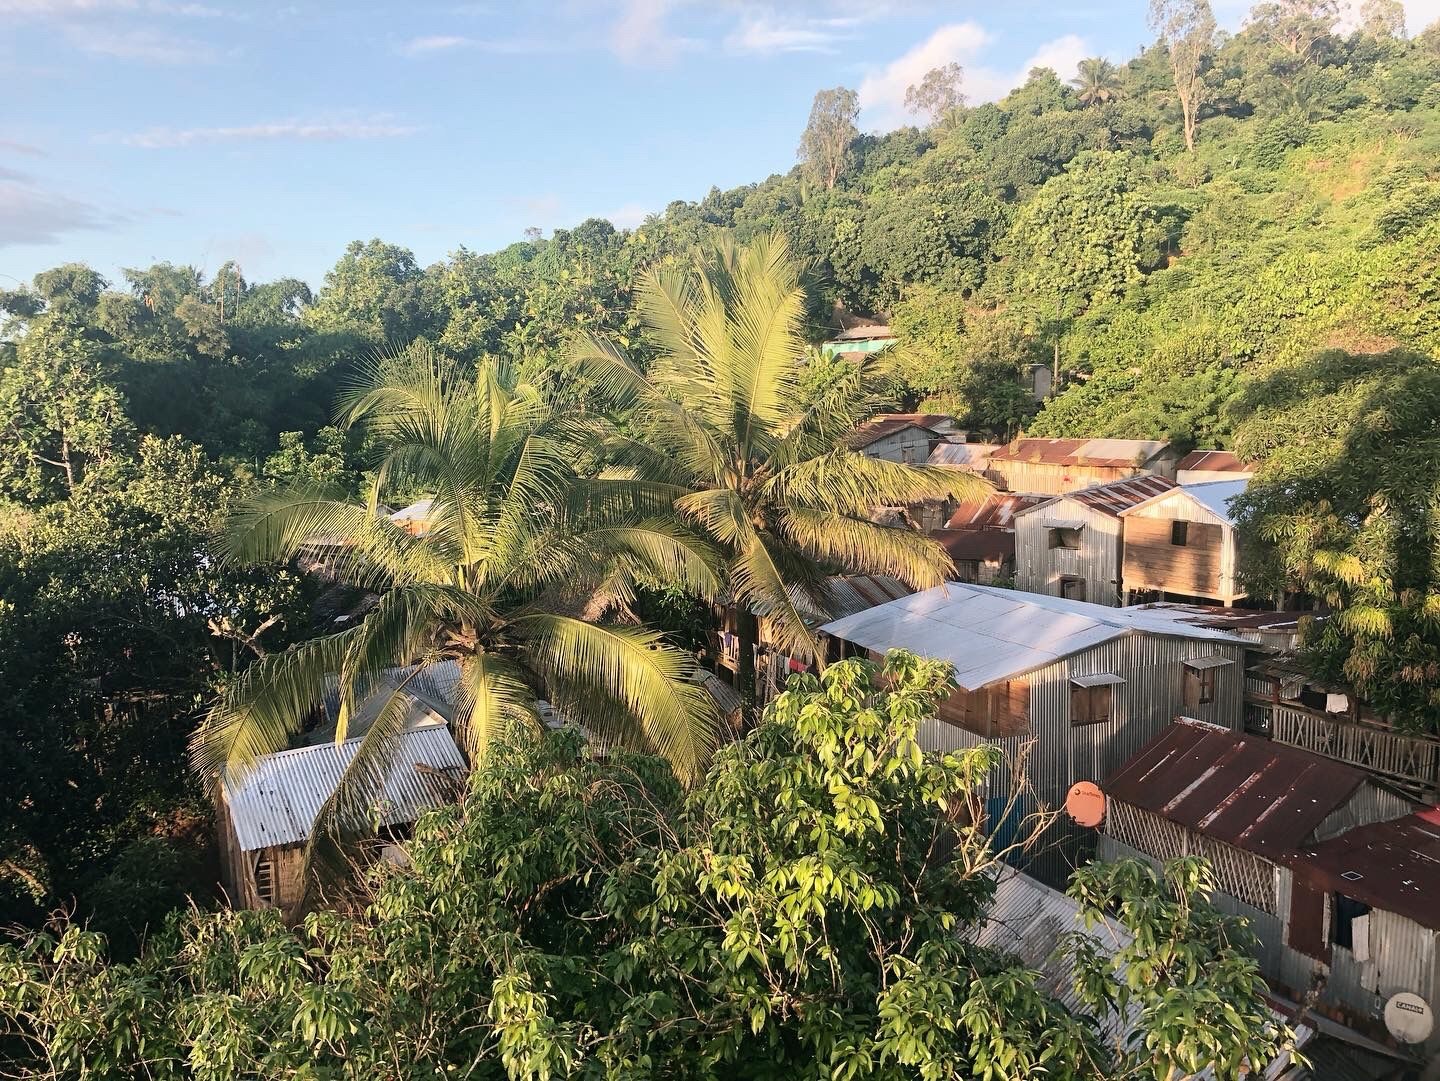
point(1039, 568)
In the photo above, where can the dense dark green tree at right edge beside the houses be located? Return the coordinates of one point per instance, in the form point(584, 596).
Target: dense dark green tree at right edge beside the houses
point(1344, 509)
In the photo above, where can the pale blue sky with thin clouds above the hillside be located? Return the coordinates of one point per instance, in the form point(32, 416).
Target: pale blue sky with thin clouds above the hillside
point(273, 133)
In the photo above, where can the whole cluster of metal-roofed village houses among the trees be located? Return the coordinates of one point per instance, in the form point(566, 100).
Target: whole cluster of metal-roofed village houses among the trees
point(1102, 636)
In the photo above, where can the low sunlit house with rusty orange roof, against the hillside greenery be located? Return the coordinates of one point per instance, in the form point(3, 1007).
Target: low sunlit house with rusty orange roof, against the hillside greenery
point(1053, 467)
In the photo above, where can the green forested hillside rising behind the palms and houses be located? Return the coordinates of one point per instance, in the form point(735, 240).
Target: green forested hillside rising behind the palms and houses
point(1275, 287)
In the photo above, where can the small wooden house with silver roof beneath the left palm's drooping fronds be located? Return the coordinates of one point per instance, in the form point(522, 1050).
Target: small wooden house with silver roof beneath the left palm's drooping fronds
point(266, 817)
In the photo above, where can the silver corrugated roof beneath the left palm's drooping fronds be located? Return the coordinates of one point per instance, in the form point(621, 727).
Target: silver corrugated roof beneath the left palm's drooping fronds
point(277, 802)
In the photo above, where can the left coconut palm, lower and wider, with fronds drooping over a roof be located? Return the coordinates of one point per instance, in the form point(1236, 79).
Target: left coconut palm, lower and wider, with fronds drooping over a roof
point(518, 543)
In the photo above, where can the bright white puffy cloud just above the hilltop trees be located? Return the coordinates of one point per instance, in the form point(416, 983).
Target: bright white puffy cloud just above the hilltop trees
point(882, 93)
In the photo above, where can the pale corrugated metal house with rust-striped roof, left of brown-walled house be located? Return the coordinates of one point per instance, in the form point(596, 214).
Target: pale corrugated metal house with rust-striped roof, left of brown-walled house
point(1072, 546)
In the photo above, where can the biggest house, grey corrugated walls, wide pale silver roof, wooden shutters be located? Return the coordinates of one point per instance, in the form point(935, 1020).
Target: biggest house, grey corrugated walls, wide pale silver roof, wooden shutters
point(1088, 684)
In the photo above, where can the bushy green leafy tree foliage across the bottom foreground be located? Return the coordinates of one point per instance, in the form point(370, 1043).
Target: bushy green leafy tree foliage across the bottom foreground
point(806, 913)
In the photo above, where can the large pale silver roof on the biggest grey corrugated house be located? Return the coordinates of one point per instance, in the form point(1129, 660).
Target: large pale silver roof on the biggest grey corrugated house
point(996, 634)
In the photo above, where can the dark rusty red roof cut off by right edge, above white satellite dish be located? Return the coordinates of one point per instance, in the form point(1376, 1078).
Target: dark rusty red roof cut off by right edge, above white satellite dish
point(1398, 864)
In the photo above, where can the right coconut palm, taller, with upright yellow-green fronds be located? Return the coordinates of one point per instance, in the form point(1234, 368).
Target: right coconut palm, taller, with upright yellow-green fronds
point(732, 414)
